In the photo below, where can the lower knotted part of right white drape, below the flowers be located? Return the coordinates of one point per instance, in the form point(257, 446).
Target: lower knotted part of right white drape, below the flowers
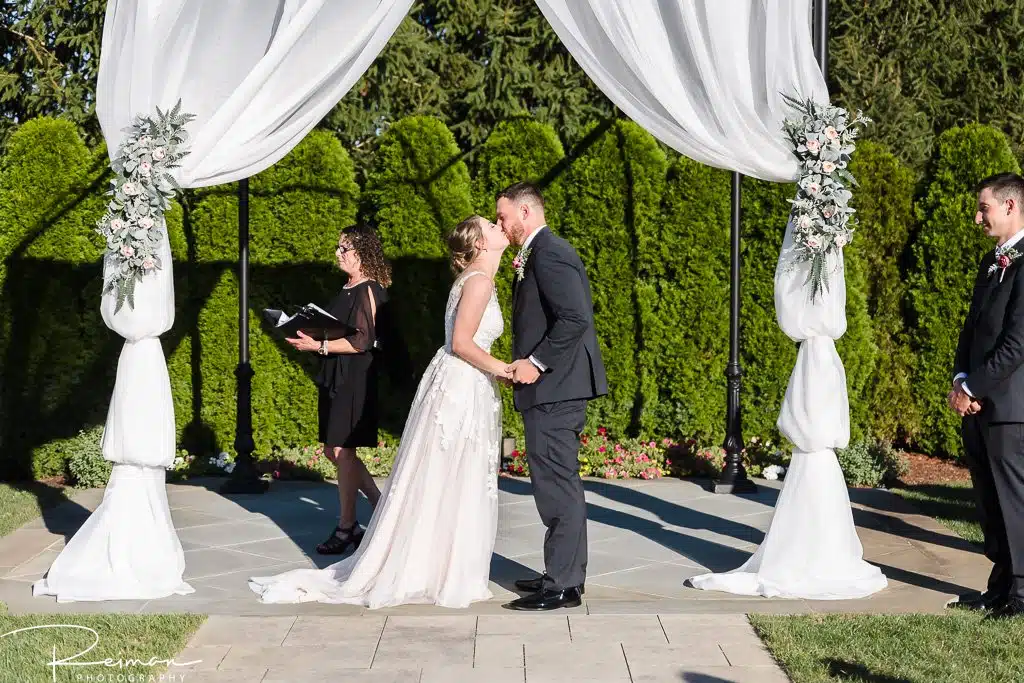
point(812, 549)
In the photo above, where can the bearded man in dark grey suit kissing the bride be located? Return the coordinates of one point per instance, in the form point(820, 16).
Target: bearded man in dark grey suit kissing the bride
point(558, 369)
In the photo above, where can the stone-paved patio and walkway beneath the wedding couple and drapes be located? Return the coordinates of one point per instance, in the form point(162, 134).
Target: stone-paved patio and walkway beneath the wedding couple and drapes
point(639, 623)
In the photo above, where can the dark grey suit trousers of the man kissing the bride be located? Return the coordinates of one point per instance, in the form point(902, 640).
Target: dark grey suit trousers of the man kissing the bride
point(552, 451)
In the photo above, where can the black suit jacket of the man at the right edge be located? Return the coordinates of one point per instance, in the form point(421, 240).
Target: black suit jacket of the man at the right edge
point(992, 345)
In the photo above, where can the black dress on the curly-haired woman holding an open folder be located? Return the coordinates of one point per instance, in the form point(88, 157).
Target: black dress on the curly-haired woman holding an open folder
point(349, 381)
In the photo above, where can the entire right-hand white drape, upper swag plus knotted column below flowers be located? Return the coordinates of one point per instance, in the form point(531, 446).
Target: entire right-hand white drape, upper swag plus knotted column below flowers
point(708, 78)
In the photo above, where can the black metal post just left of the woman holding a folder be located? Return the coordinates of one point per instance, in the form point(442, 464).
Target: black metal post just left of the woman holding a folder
point(245, 479)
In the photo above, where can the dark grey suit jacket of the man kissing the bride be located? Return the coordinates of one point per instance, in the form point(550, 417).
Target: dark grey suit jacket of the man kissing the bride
point(553, 321)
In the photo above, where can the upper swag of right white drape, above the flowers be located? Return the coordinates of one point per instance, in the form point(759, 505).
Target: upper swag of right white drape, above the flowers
point(706, 77)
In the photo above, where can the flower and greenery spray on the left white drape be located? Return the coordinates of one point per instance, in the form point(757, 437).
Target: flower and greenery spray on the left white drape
point(134, 225)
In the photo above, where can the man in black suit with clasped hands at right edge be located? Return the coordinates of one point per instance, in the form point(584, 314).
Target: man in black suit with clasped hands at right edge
point(989, 393)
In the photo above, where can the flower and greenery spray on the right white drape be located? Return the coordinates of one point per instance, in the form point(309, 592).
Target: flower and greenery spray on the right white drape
point(824, 140)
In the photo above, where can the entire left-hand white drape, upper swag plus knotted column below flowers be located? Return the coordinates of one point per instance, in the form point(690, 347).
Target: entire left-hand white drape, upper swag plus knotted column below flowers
point(259, 75)
